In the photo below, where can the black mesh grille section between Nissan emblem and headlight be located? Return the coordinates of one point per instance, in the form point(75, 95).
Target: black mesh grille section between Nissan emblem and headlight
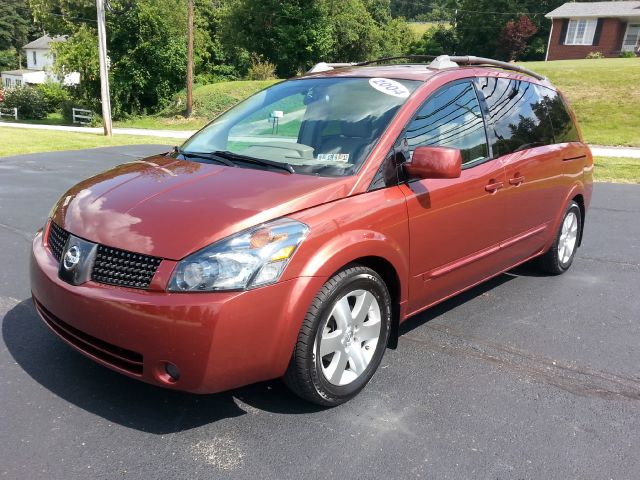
point(122, 268)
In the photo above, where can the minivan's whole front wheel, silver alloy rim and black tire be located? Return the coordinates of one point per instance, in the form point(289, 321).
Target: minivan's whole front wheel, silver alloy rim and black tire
point(342, 339)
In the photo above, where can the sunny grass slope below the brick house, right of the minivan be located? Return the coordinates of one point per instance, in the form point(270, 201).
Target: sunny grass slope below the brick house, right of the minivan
point(605, 95)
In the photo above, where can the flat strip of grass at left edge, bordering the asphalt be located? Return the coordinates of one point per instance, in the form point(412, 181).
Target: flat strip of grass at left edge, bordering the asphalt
point(17, 141)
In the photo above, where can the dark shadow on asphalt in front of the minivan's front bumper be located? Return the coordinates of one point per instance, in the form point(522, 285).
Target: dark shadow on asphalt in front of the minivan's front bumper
point(119, 399)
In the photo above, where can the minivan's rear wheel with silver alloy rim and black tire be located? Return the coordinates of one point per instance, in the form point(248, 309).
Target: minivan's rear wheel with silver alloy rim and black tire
point(560, 256)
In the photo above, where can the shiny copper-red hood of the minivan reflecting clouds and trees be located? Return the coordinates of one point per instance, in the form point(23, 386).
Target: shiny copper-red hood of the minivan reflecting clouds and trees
point(170, 208)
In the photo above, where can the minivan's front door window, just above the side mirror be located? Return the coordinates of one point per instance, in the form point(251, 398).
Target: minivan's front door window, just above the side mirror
point(451, 117)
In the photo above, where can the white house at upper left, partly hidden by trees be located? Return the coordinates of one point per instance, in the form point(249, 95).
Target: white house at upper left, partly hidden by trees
point(40, 60)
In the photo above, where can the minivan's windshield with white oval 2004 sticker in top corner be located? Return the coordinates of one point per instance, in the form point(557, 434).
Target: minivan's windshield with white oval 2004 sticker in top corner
point(324, 126)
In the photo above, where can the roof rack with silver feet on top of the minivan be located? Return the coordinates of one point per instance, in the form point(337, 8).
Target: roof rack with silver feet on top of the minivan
point(438, 62)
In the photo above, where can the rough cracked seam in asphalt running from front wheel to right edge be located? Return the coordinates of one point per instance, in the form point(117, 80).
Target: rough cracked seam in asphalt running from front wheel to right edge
point(578, 380)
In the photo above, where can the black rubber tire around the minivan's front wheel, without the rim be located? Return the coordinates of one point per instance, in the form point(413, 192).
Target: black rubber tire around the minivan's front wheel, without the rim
point(305, 376)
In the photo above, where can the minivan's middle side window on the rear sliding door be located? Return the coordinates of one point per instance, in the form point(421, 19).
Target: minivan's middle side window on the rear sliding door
point(517, 116)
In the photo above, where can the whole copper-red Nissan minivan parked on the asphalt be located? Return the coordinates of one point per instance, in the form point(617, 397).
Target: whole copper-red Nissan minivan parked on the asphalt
point(291, 236)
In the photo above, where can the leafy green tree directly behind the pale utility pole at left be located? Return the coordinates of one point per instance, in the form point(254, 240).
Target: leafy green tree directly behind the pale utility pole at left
point(146, 42)
